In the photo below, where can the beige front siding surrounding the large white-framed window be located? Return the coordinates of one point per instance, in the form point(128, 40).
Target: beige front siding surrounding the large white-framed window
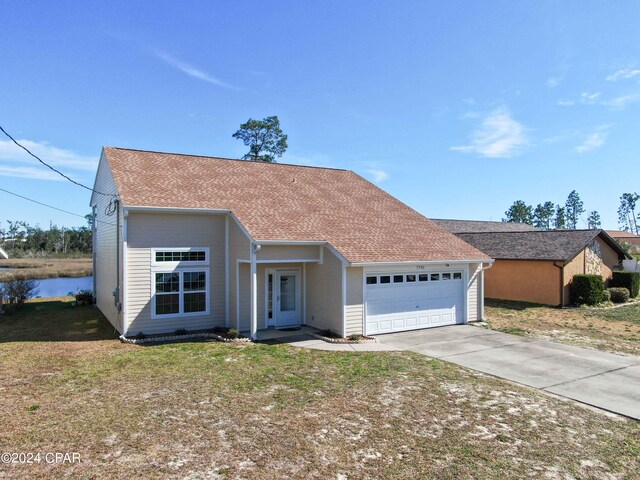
point(146, 231)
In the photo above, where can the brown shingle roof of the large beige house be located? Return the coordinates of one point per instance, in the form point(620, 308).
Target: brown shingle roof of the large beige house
point(289, 202)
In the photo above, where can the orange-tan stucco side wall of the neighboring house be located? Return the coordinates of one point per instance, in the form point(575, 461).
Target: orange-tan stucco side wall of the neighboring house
point(527, 281)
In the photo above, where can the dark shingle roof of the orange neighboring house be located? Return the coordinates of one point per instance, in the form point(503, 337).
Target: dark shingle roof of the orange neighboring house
point(552, 245)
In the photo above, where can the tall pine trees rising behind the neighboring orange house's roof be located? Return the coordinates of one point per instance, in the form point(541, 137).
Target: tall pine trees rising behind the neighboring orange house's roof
point(548, 215)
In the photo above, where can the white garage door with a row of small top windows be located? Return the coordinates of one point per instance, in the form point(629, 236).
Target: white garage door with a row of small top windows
point(407, 301)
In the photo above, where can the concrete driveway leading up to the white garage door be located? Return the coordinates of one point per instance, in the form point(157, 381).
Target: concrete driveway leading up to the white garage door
point(600, 379)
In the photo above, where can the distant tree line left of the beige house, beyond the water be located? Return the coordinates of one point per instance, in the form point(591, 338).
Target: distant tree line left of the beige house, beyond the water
point(20, 239)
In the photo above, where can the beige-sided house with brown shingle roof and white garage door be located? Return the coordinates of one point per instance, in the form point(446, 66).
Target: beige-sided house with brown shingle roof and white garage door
point(196, 242)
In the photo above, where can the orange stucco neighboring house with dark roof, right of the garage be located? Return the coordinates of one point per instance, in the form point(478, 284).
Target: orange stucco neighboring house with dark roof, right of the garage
point(538, 265)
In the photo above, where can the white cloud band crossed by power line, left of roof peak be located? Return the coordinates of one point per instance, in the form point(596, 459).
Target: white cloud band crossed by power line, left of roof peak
point(57, 157)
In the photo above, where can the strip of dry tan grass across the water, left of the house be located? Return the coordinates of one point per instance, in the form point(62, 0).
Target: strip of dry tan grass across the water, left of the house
point(40, 268)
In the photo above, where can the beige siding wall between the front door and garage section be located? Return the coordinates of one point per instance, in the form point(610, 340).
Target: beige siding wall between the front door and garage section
point(324, 293)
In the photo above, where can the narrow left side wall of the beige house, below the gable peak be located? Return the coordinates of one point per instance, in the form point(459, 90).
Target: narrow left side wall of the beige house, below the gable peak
point(105, 246)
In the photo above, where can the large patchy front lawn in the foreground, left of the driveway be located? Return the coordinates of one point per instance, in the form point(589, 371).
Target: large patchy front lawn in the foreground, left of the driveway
point(213, 410)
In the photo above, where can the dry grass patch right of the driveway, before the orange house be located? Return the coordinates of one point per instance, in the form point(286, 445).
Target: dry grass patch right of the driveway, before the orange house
point(614, 330)
